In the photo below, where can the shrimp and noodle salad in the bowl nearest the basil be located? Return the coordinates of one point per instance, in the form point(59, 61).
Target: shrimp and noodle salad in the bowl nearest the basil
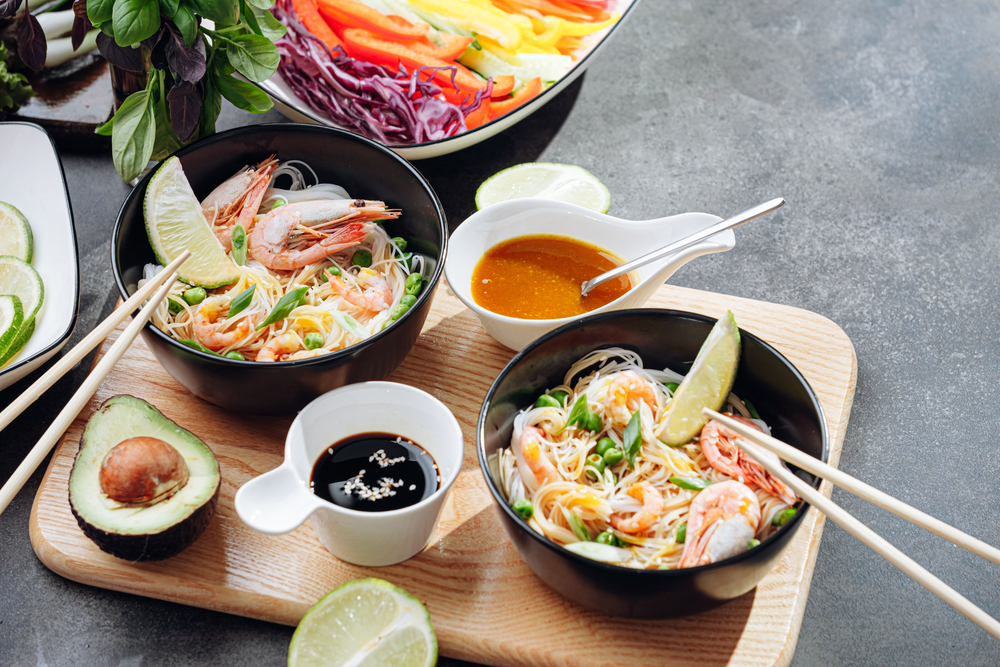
point(316, 273)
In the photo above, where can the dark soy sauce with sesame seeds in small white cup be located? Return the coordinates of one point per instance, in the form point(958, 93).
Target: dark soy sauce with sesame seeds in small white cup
point(374, 472)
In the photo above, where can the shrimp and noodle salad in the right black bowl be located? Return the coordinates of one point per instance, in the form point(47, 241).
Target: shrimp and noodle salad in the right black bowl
point(586, 469)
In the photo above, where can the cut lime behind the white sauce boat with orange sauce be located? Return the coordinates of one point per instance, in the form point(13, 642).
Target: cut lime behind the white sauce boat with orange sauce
point(546, 180)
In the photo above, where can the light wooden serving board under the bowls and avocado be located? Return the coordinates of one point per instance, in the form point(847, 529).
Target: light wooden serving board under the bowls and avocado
point(486, 605)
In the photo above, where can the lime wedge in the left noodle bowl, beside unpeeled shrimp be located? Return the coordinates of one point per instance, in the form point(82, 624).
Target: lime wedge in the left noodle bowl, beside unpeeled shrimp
point(175, 223)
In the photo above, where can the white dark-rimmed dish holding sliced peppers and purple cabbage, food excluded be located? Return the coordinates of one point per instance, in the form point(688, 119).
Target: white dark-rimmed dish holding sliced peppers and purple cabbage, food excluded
point(294, 108)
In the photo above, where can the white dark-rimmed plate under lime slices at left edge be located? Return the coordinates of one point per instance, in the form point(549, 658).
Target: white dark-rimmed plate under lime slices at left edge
point(31, 178)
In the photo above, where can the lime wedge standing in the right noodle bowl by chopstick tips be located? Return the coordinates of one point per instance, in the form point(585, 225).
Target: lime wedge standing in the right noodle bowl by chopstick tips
point(706, 385)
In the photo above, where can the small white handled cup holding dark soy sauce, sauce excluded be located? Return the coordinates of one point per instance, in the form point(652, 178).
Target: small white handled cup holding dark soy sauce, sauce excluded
point(278, 501)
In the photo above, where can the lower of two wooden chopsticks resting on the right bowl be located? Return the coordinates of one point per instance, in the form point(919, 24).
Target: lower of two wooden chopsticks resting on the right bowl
point(870, 538)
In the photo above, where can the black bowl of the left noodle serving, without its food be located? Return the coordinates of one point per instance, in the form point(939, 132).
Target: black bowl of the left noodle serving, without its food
point(366, 170)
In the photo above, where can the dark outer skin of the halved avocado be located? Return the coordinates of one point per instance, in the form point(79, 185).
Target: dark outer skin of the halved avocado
point(150, 546)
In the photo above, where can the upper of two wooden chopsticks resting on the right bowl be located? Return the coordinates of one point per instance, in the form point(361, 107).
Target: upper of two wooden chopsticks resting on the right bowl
point(862, 490)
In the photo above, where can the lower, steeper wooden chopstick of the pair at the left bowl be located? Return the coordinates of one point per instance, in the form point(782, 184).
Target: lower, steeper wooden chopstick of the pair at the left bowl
point(80, 398)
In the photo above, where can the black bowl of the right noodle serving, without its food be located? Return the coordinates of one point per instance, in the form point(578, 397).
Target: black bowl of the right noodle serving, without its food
point(664, 339)
